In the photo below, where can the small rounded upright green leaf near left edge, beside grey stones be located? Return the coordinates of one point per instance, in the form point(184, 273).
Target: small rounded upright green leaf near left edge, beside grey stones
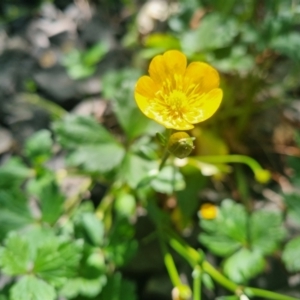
point(39, 146)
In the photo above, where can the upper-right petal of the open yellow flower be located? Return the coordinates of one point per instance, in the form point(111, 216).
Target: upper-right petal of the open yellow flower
point(203, 75)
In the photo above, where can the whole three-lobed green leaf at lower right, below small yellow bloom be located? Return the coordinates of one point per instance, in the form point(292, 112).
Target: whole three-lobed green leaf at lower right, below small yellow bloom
point(242, 238)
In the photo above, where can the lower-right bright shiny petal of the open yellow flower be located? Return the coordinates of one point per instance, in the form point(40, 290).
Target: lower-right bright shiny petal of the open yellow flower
point(208, 105)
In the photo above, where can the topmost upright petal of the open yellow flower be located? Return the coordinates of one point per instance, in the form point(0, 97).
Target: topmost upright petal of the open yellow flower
point(165, 66)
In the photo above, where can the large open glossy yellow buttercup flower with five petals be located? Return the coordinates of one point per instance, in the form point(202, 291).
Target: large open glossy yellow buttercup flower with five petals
point(176, 95)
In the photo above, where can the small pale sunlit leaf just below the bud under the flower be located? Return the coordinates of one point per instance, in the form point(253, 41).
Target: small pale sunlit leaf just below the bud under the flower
point(168, 180)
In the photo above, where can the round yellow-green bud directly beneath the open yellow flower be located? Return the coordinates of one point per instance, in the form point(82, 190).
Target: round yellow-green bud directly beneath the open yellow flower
point(181, 144)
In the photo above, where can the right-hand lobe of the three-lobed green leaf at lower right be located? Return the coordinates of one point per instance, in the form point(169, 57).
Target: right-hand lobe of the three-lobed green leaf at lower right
point(267, 231)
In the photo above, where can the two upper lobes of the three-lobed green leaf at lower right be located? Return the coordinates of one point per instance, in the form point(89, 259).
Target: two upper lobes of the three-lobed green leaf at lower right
point(227, 232)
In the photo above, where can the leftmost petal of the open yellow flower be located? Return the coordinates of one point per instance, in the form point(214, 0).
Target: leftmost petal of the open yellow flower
point(144, 94)
